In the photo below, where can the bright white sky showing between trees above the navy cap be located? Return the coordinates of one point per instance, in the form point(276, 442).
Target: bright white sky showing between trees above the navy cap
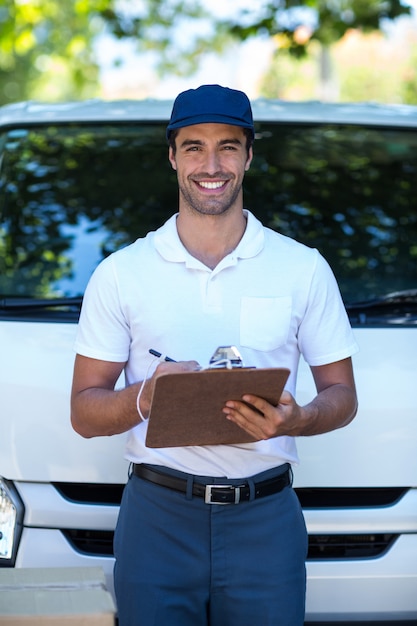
point(241, 67)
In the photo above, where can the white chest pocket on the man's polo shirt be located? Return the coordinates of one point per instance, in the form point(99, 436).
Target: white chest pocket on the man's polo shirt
point(264, 322)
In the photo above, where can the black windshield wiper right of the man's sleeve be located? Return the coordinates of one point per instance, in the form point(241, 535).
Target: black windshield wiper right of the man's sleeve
point(396, 307)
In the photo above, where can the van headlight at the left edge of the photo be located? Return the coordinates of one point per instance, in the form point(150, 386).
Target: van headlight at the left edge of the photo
point(11, 520)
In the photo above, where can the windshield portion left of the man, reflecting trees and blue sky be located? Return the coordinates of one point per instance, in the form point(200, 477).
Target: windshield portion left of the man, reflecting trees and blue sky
point(71, 195)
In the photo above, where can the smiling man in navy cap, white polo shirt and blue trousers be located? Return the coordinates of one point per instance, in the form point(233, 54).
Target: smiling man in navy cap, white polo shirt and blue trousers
point(212, 276)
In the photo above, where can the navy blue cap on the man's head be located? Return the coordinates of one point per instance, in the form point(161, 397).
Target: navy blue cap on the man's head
point(211, 104)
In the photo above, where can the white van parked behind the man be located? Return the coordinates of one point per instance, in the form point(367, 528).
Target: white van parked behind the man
point(78, 181)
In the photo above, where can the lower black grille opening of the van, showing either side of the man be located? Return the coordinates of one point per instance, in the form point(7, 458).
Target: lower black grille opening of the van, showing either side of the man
point(320, 547)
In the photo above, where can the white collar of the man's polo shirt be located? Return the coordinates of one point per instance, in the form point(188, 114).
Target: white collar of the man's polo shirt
point(170, 247)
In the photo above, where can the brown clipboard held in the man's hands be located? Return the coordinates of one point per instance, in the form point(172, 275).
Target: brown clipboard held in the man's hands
point(186, 408)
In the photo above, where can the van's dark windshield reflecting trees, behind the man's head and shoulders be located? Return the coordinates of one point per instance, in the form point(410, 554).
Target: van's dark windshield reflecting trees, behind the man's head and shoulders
point(72, 194)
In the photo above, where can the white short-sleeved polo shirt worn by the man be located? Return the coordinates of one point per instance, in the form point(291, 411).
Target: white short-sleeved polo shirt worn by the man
point(272, 297)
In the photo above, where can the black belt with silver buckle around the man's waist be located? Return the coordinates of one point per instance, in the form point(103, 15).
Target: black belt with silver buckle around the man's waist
point(216, 493)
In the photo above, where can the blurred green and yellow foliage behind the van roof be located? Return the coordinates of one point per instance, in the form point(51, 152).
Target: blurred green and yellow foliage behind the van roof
point(48, 48)
